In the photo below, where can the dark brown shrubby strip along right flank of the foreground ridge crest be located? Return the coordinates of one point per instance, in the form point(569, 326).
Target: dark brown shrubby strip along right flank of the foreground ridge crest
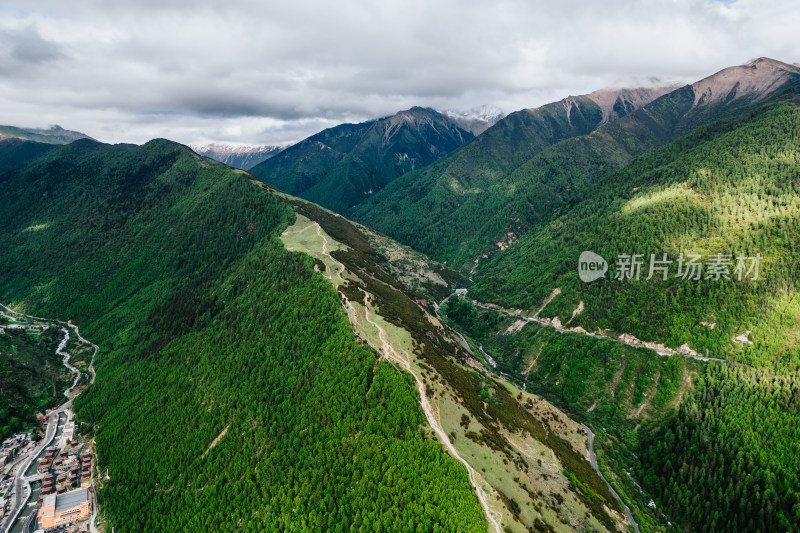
point(504, 418)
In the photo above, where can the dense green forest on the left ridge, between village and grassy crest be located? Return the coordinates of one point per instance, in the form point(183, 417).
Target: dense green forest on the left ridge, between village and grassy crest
point(231, 392)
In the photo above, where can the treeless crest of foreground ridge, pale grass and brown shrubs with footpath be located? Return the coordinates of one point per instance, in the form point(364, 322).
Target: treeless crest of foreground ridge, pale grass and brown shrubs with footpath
point(493, 426)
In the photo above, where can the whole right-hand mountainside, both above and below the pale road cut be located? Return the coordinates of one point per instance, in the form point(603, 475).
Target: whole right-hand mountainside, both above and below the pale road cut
point(726, 459)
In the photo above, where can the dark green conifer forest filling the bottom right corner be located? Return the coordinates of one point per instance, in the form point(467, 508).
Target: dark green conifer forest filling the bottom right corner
point(729, 460)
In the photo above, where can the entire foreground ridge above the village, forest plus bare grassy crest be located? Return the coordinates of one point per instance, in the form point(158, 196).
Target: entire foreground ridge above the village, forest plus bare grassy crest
point(239, 387)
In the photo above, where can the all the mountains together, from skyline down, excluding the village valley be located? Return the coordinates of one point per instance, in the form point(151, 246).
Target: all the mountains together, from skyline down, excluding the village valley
point(384, 326)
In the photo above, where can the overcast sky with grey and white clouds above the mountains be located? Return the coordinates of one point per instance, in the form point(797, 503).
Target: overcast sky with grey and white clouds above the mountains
point(255, 71)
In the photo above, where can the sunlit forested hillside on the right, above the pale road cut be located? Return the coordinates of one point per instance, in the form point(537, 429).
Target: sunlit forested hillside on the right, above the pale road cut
point(731, 189)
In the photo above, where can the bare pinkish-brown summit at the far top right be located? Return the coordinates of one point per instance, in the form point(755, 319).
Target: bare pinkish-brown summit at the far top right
point(756, 79)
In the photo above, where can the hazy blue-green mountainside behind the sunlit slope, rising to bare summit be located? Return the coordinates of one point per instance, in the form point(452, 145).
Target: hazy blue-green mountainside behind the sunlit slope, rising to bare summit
point(464, 208)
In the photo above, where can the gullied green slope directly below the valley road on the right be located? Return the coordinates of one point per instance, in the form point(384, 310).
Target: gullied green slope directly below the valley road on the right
point(610, 386)
